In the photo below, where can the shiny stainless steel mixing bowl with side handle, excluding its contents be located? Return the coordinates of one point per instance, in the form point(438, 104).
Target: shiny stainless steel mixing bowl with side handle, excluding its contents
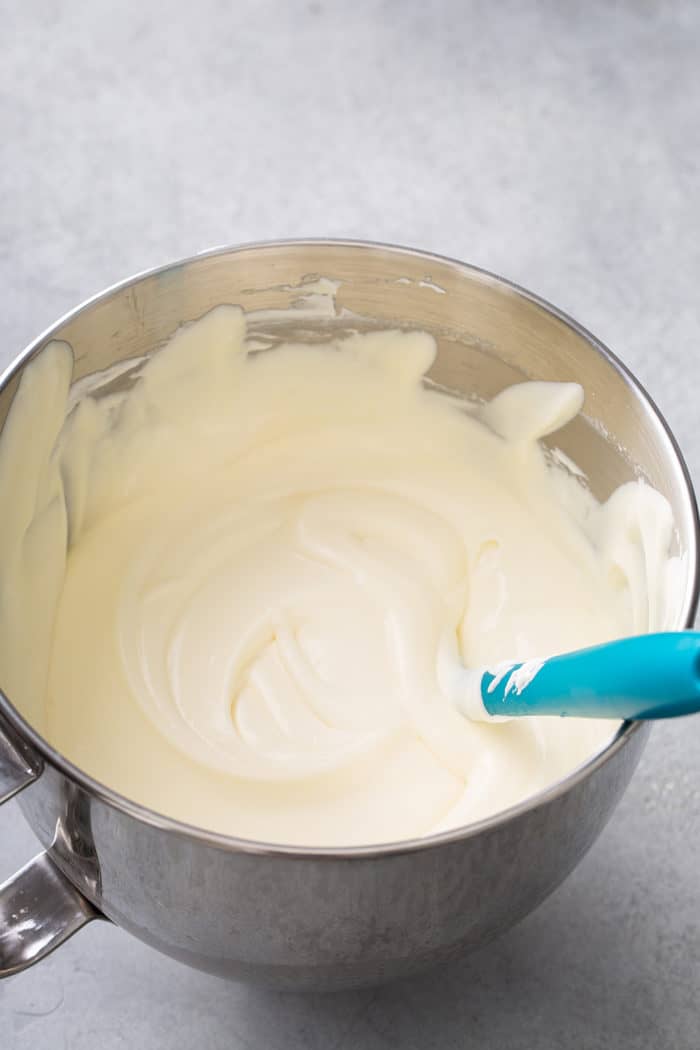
point(331, 918)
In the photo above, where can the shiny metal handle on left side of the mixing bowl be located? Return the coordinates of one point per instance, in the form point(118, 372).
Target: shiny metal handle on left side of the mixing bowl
point(39, 908)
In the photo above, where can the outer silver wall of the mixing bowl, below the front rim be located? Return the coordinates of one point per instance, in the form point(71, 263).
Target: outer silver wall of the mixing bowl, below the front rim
point(316, 922)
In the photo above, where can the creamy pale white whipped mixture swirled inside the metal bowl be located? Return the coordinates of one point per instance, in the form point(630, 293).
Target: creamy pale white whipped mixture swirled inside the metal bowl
point(275, 562)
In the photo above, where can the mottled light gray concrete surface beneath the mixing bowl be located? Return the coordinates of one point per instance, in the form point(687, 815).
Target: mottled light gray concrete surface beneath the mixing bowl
point(558, 143)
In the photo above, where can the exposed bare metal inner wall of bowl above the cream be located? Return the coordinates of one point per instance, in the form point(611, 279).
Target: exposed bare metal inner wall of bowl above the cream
point(491, 334)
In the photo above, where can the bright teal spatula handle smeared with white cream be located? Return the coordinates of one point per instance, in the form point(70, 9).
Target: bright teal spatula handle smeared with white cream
point(649, 677)
